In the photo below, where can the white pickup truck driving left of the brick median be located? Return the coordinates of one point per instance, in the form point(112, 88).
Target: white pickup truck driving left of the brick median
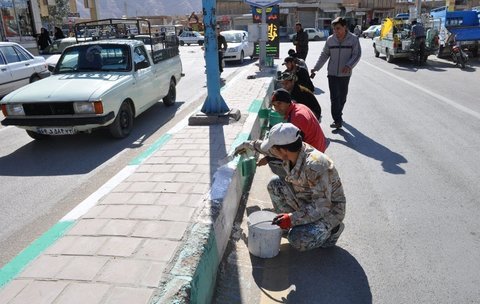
point(103, 83)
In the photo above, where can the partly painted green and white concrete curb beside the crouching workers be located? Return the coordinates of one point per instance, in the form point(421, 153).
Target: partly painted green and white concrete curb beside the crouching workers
point(192, 277)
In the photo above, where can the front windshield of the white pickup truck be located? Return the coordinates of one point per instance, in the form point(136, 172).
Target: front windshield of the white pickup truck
point(94, 58)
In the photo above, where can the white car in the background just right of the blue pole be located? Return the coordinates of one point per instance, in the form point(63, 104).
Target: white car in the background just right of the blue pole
point(238, 46)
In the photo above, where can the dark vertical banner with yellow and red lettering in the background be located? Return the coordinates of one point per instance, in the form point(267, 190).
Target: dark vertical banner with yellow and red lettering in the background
point(273, 26)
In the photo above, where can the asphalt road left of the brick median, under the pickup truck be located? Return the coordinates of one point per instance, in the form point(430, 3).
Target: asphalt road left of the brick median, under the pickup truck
point(41, 181)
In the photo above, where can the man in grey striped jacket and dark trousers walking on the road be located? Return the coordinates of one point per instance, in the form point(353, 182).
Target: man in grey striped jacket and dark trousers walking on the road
point(343, 52)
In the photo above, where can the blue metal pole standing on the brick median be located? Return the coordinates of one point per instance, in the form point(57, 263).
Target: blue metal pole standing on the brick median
point(214, 104)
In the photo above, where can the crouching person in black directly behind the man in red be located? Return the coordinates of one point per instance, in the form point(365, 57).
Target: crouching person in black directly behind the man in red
point(300, 93)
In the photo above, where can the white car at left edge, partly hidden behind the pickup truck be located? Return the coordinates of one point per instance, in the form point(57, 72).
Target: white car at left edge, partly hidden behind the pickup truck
point(19, 67)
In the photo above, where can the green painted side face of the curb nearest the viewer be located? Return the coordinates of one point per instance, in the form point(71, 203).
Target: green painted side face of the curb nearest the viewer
point(203, 281)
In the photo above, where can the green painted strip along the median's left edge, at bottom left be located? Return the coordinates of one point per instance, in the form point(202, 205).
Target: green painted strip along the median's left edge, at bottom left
point(15, 266)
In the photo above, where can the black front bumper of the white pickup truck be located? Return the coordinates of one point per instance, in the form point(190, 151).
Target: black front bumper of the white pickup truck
point(57, 122)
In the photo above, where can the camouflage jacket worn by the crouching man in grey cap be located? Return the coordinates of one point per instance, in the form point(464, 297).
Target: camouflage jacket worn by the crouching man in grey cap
point(317, 187)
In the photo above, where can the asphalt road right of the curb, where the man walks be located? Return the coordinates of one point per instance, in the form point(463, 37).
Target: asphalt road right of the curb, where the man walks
point(408, 160)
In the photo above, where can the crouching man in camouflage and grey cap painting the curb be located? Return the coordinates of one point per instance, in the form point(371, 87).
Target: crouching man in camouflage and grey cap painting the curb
point(309, 200)
